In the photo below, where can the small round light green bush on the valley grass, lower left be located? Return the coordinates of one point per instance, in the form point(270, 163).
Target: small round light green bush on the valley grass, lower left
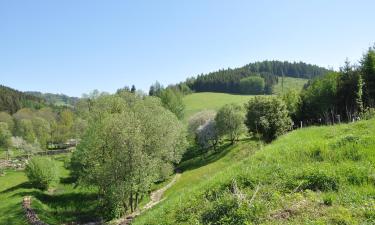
point(42, 172)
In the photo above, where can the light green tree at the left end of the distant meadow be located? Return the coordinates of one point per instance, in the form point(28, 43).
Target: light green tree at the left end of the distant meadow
point(173, 100)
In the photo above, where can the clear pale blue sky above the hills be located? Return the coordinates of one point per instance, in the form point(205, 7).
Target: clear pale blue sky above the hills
point(74, 46)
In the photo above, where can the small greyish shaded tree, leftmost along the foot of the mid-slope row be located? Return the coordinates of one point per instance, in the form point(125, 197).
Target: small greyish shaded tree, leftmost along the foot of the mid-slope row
point(207, 135)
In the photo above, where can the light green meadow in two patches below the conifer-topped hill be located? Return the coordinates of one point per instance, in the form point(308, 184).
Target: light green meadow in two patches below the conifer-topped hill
point(197, 102)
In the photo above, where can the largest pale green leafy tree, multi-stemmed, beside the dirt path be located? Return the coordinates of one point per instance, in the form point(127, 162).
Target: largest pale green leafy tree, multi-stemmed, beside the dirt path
point(128, 145)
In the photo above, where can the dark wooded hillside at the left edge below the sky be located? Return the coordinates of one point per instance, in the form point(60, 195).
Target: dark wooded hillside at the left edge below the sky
point(12, 100)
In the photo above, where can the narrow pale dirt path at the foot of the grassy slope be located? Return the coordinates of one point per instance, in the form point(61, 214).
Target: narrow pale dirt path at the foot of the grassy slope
point(156, 197)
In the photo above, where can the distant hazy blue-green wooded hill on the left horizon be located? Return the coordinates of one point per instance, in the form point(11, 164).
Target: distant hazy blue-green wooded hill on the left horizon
point(55, 99)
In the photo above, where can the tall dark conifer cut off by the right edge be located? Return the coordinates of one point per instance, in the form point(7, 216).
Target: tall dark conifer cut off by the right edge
point(368, 73)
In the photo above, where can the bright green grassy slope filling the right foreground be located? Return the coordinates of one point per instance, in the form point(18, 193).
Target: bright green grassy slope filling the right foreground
point(317, 175)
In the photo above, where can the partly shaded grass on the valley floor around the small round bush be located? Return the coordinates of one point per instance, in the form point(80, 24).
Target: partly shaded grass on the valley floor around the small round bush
point(63, 203)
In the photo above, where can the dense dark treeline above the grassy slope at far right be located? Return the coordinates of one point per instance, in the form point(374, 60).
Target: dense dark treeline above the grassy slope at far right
point(346, 95)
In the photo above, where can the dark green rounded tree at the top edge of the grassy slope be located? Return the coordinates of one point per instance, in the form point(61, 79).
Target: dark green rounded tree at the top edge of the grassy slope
point(268, 117)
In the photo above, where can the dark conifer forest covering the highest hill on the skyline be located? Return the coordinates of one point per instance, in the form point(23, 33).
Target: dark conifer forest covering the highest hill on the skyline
point(228, 80)
